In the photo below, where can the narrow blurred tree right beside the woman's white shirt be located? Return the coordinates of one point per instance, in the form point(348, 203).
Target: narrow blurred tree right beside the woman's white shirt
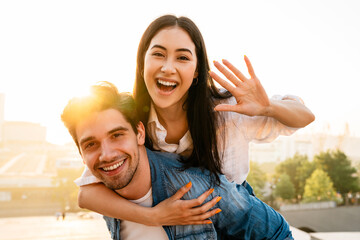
point(256, 179)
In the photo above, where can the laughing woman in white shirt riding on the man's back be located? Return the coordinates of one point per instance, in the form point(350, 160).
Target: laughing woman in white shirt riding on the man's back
point(176, 97)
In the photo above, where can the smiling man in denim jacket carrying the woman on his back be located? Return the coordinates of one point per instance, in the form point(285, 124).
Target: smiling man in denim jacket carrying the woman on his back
point(111, 140)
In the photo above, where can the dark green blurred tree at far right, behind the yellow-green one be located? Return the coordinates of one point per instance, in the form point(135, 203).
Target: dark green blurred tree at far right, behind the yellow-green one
point(340, 171)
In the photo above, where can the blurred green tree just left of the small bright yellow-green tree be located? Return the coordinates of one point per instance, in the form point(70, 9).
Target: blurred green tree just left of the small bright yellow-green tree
point(298, 168)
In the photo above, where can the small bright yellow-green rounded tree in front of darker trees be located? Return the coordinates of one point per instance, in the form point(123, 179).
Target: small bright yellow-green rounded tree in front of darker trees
point(319, 187)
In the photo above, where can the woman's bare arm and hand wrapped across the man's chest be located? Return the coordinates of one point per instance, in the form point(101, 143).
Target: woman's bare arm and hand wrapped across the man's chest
point(172, 211)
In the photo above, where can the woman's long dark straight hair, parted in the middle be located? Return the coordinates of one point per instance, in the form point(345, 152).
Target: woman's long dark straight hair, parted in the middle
point(202, 119)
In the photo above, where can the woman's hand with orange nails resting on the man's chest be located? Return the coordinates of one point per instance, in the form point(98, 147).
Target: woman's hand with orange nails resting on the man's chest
point(174, 211)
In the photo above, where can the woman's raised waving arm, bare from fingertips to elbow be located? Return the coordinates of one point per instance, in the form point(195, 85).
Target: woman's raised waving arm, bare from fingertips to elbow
point(252, 99)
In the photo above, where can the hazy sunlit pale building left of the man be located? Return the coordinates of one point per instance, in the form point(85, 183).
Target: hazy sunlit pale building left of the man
point(29, 180)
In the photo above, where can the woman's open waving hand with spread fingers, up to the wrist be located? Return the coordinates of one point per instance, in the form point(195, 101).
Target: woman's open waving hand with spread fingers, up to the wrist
point(250, 95)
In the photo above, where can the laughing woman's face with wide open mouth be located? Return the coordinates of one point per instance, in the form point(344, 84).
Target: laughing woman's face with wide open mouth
point(170, 67)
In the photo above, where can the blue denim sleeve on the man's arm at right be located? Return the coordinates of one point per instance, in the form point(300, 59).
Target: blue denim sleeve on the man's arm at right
point(244, 216)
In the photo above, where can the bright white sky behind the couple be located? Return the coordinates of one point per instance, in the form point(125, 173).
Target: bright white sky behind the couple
point(51, 51)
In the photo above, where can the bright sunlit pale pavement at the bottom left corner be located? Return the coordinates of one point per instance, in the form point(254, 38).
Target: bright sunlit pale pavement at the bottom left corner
point(46, 228)
